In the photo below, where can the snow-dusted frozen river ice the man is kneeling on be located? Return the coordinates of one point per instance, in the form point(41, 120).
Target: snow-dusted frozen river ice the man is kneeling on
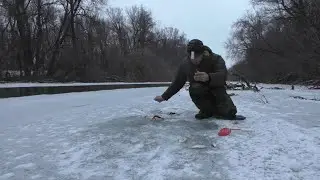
point(110, 135)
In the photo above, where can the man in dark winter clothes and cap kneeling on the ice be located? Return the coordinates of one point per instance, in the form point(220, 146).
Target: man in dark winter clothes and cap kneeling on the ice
point(207, 74)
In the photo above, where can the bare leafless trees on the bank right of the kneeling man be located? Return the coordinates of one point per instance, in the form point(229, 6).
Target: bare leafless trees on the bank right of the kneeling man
point(277, 42)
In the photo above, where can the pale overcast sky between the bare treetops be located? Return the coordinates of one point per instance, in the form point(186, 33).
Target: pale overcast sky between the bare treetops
point(208, 20)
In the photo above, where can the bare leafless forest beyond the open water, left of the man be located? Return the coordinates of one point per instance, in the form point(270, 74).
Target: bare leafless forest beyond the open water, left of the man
point(79, 40)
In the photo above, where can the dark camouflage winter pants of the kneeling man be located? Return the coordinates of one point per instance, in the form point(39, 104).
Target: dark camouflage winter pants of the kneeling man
point(214, 101)
